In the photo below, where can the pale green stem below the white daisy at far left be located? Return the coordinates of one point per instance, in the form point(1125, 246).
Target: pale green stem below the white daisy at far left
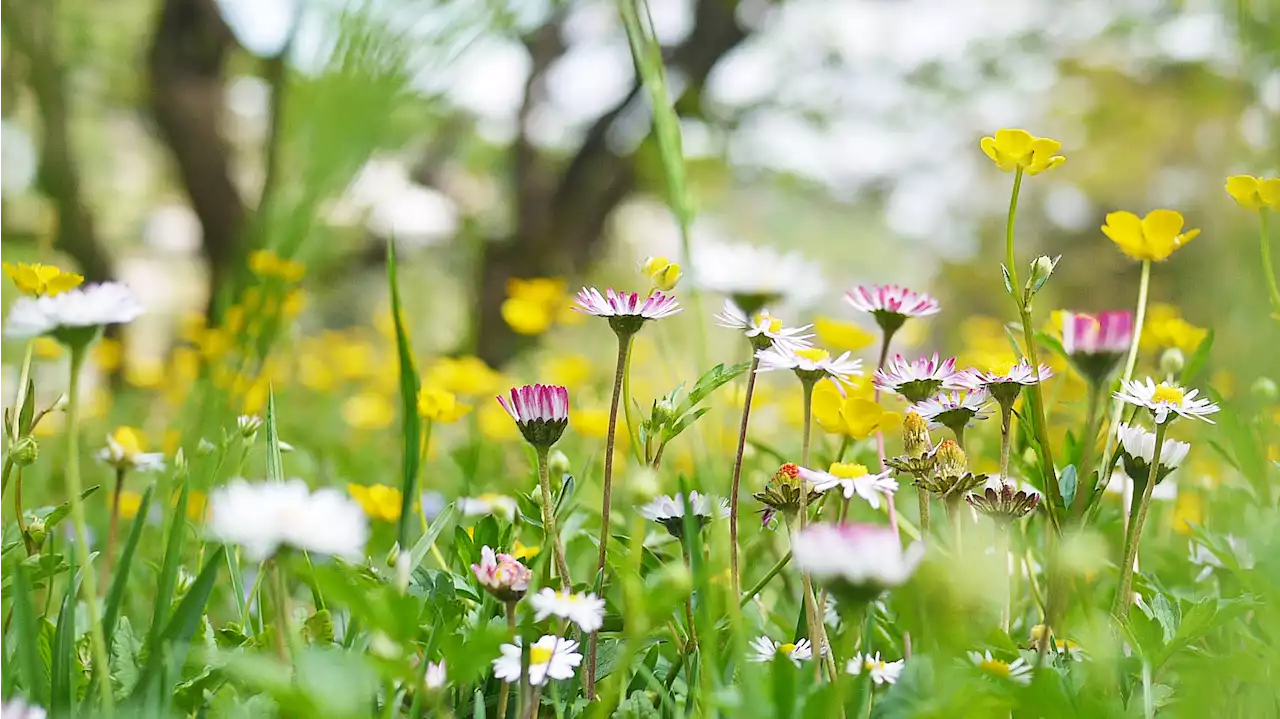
point(89, 581)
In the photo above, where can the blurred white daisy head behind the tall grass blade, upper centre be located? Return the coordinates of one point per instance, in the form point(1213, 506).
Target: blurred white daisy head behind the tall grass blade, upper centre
point(756, 277)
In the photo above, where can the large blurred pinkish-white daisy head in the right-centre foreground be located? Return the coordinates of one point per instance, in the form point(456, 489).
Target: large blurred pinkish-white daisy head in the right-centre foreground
point(857, 562)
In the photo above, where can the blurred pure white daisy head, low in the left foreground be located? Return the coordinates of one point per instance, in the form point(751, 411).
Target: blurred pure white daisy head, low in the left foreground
point(266, 518)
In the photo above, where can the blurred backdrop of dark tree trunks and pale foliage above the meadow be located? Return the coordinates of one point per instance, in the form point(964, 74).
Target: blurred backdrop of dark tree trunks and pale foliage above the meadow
point(163, 143)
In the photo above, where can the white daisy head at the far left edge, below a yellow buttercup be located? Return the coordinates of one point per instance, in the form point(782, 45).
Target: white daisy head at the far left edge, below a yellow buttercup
point(74, 317)
